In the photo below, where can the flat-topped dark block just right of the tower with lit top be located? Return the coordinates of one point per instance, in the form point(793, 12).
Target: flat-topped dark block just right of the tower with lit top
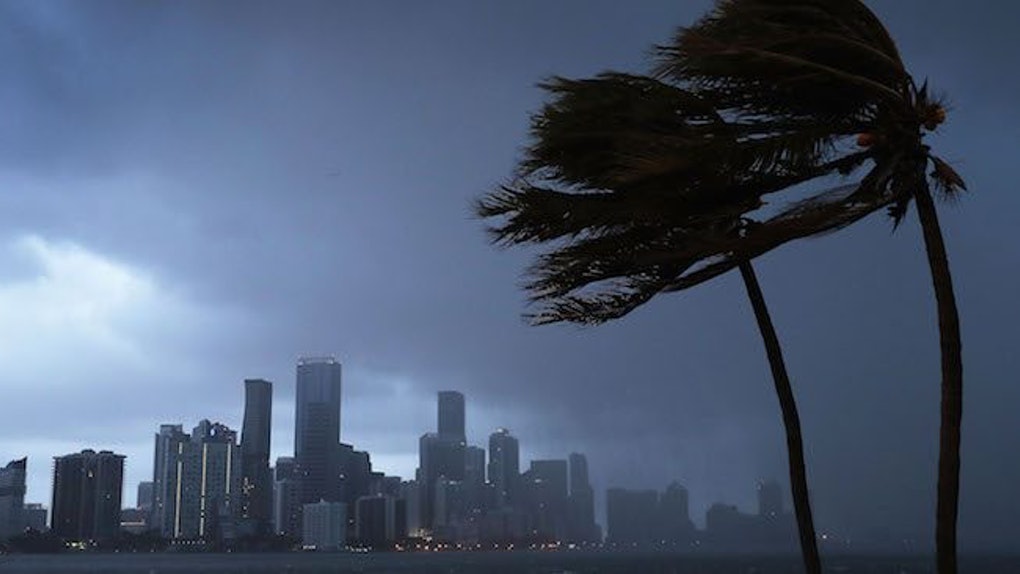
point(546, 486)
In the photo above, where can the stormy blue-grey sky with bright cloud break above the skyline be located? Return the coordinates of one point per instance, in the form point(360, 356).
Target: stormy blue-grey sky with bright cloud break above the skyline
point(194, 193)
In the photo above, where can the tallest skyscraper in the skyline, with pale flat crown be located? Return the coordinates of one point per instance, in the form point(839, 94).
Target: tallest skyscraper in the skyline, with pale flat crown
point(317, 434)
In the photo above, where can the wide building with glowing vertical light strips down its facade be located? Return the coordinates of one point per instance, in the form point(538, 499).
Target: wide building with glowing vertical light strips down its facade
point(202, 485)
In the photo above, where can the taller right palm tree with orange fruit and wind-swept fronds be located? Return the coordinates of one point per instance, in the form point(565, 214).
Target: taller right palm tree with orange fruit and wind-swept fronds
point(813, 75)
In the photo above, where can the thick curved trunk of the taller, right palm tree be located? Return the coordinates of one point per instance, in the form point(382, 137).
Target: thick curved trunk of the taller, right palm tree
point(952, 392)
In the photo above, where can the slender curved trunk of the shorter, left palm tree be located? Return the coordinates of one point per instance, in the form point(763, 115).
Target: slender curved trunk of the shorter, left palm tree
point(791, 421)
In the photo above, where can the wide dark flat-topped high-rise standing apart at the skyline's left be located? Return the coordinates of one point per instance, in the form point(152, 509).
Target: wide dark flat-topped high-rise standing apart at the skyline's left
point(87, 495)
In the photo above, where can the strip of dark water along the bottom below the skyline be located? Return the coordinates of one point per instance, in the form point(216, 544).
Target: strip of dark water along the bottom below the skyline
point(481, 563)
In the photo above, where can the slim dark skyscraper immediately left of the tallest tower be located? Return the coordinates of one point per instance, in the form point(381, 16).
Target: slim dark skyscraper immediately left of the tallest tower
point(257, 484)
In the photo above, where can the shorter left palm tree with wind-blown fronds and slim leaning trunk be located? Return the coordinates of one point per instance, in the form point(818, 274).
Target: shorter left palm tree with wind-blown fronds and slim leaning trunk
point(646, 189)
